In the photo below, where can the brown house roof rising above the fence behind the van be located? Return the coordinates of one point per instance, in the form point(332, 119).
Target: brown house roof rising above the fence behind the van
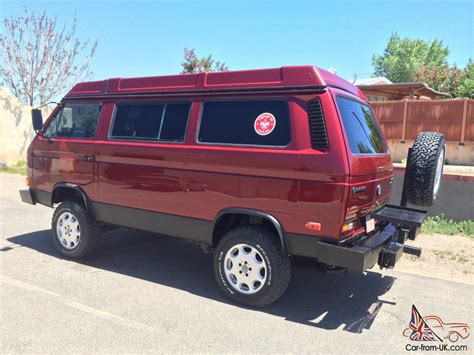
point(401, 90)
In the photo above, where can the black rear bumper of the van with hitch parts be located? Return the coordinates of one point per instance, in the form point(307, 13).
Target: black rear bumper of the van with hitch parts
point(384, 248)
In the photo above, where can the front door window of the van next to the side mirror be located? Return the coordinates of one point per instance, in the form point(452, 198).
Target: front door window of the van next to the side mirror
point(77, 120)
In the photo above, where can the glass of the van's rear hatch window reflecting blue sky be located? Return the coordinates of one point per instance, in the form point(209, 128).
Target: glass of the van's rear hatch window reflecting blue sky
point(361, 127)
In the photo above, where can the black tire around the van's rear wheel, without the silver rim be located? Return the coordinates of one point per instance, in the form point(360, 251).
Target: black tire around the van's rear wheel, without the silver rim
point(278, 265)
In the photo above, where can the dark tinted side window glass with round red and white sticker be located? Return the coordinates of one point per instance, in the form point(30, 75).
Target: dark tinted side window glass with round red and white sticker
point(235, 122)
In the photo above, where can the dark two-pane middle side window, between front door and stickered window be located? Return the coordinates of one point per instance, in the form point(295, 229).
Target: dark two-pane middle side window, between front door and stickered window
point(165, 122)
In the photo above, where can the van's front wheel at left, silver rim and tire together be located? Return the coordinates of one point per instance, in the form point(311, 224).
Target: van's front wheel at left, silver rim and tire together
point(74, 231)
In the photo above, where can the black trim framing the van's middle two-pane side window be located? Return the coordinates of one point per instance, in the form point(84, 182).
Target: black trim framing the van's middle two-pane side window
point(151, 140)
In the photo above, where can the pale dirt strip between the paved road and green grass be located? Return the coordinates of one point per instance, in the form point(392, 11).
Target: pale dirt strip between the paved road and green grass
point(443, 256)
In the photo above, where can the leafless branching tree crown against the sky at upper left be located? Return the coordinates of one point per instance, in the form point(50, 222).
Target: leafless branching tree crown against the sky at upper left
point(39, 60)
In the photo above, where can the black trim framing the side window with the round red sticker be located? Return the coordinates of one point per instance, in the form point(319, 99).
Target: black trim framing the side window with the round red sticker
point(290, 126)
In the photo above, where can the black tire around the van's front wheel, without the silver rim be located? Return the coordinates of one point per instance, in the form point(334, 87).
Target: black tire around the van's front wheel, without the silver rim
point(89, 230)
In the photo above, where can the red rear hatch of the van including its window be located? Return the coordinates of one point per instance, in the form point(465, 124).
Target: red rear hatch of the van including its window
point(369, 160)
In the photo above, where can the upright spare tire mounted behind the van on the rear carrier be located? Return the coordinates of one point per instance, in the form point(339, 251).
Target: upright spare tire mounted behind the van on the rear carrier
point(425, 168)
